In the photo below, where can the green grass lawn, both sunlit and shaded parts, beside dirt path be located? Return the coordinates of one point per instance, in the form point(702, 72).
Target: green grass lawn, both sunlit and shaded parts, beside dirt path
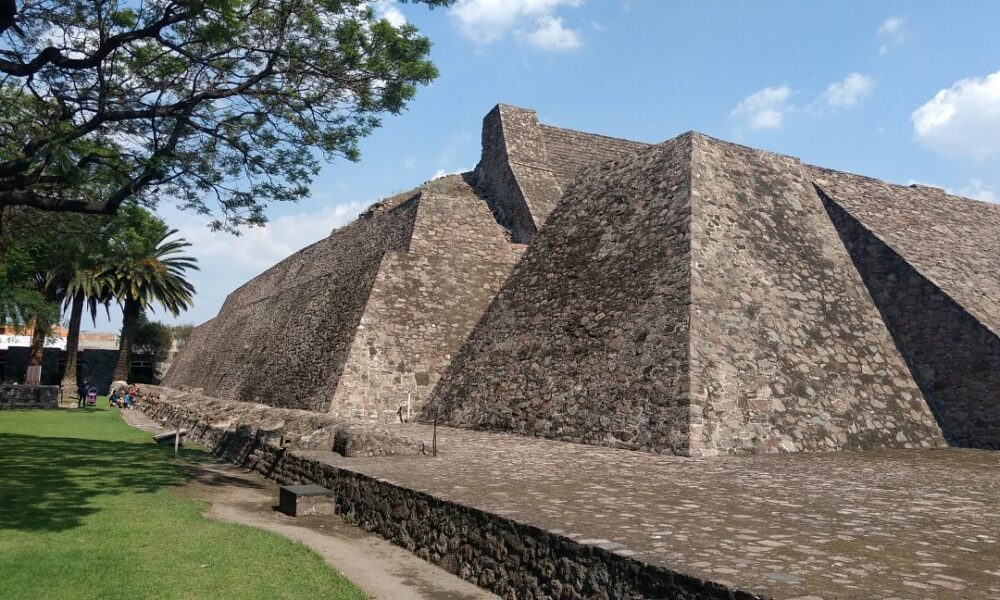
point(87, 511)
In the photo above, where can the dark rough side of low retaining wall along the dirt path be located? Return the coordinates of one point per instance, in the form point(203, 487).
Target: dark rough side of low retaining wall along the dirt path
point(513, 560)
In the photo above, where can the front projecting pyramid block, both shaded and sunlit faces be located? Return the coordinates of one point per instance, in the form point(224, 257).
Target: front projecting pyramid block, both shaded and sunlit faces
point(693, 298)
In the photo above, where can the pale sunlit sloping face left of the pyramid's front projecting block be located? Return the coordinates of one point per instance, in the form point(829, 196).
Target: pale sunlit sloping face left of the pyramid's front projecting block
point(425, 301)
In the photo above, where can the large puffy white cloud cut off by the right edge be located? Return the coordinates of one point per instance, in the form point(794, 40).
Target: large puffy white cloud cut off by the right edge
point(962, 121)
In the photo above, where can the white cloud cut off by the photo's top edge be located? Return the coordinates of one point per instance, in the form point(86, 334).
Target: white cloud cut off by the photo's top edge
point(534, 21)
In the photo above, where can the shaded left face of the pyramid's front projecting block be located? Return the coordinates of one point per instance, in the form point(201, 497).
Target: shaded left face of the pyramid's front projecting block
point(588, 339)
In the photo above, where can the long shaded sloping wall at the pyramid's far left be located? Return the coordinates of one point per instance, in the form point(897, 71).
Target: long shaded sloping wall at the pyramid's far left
point(283, 338)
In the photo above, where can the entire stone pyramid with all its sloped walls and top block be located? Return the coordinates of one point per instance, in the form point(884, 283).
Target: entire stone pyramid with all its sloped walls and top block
point(694, 297)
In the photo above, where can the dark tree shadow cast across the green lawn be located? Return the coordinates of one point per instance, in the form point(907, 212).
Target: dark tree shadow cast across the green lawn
point(50, 483)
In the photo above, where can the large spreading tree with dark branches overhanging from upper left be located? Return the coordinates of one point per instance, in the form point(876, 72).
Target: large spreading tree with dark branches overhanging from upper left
point(231, 100)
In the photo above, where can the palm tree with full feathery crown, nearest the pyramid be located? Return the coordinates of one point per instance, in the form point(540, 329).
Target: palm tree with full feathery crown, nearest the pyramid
point(151, 271)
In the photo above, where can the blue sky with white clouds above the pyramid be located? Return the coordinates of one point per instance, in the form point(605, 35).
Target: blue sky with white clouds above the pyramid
point(902, 91)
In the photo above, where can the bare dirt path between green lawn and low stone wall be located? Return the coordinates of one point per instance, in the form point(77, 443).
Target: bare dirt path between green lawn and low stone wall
point(382, 570)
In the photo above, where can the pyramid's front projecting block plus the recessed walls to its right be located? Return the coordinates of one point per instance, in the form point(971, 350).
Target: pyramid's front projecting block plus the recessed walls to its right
point(701, 297)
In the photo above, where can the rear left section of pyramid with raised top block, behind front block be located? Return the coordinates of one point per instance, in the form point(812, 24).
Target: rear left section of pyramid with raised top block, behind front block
point(366, 321)
